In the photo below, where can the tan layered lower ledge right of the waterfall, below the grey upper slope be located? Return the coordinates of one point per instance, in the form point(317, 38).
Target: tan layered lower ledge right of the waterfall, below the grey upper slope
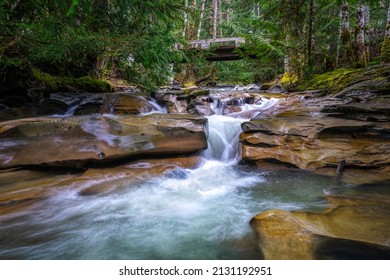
point(311, 142)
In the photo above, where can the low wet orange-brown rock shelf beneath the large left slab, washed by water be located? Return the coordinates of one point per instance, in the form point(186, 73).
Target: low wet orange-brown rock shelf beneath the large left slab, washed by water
point(33, 186)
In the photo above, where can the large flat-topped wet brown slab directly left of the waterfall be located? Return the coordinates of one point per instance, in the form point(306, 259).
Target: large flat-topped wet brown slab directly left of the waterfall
point(77, 141)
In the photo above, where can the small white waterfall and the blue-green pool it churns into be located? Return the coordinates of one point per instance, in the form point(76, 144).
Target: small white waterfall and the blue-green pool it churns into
point(200, 213)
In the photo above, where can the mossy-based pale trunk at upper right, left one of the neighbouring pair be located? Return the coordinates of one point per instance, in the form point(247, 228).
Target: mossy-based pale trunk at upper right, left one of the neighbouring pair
point(346, 43)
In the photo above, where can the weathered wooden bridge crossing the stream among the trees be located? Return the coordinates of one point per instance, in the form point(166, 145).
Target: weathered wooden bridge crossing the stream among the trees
point(220, 49)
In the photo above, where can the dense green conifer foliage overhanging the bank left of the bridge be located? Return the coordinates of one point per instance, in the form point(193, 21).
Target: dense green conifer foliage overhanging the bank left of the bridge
point(71, 38)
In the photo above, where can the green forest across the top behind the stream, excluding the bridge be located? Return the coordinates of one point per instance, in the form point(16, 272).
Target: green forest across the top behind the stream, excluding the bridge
point(139, 41)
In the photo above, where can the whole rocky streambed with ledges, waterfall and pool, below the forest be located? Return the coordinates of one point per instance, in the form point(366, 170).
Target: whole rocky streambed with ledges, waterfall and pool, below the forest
point(310, 171)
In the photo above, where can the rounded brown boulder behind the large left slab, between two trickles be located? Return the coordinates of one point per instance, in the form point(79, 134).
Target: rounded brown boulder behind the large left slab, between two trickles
point(125, 104)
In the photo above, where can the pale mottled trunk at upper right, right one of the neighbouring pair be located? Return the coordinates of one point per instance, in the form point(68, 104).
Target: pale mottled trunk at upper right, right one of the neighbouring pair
point(359, 38)
